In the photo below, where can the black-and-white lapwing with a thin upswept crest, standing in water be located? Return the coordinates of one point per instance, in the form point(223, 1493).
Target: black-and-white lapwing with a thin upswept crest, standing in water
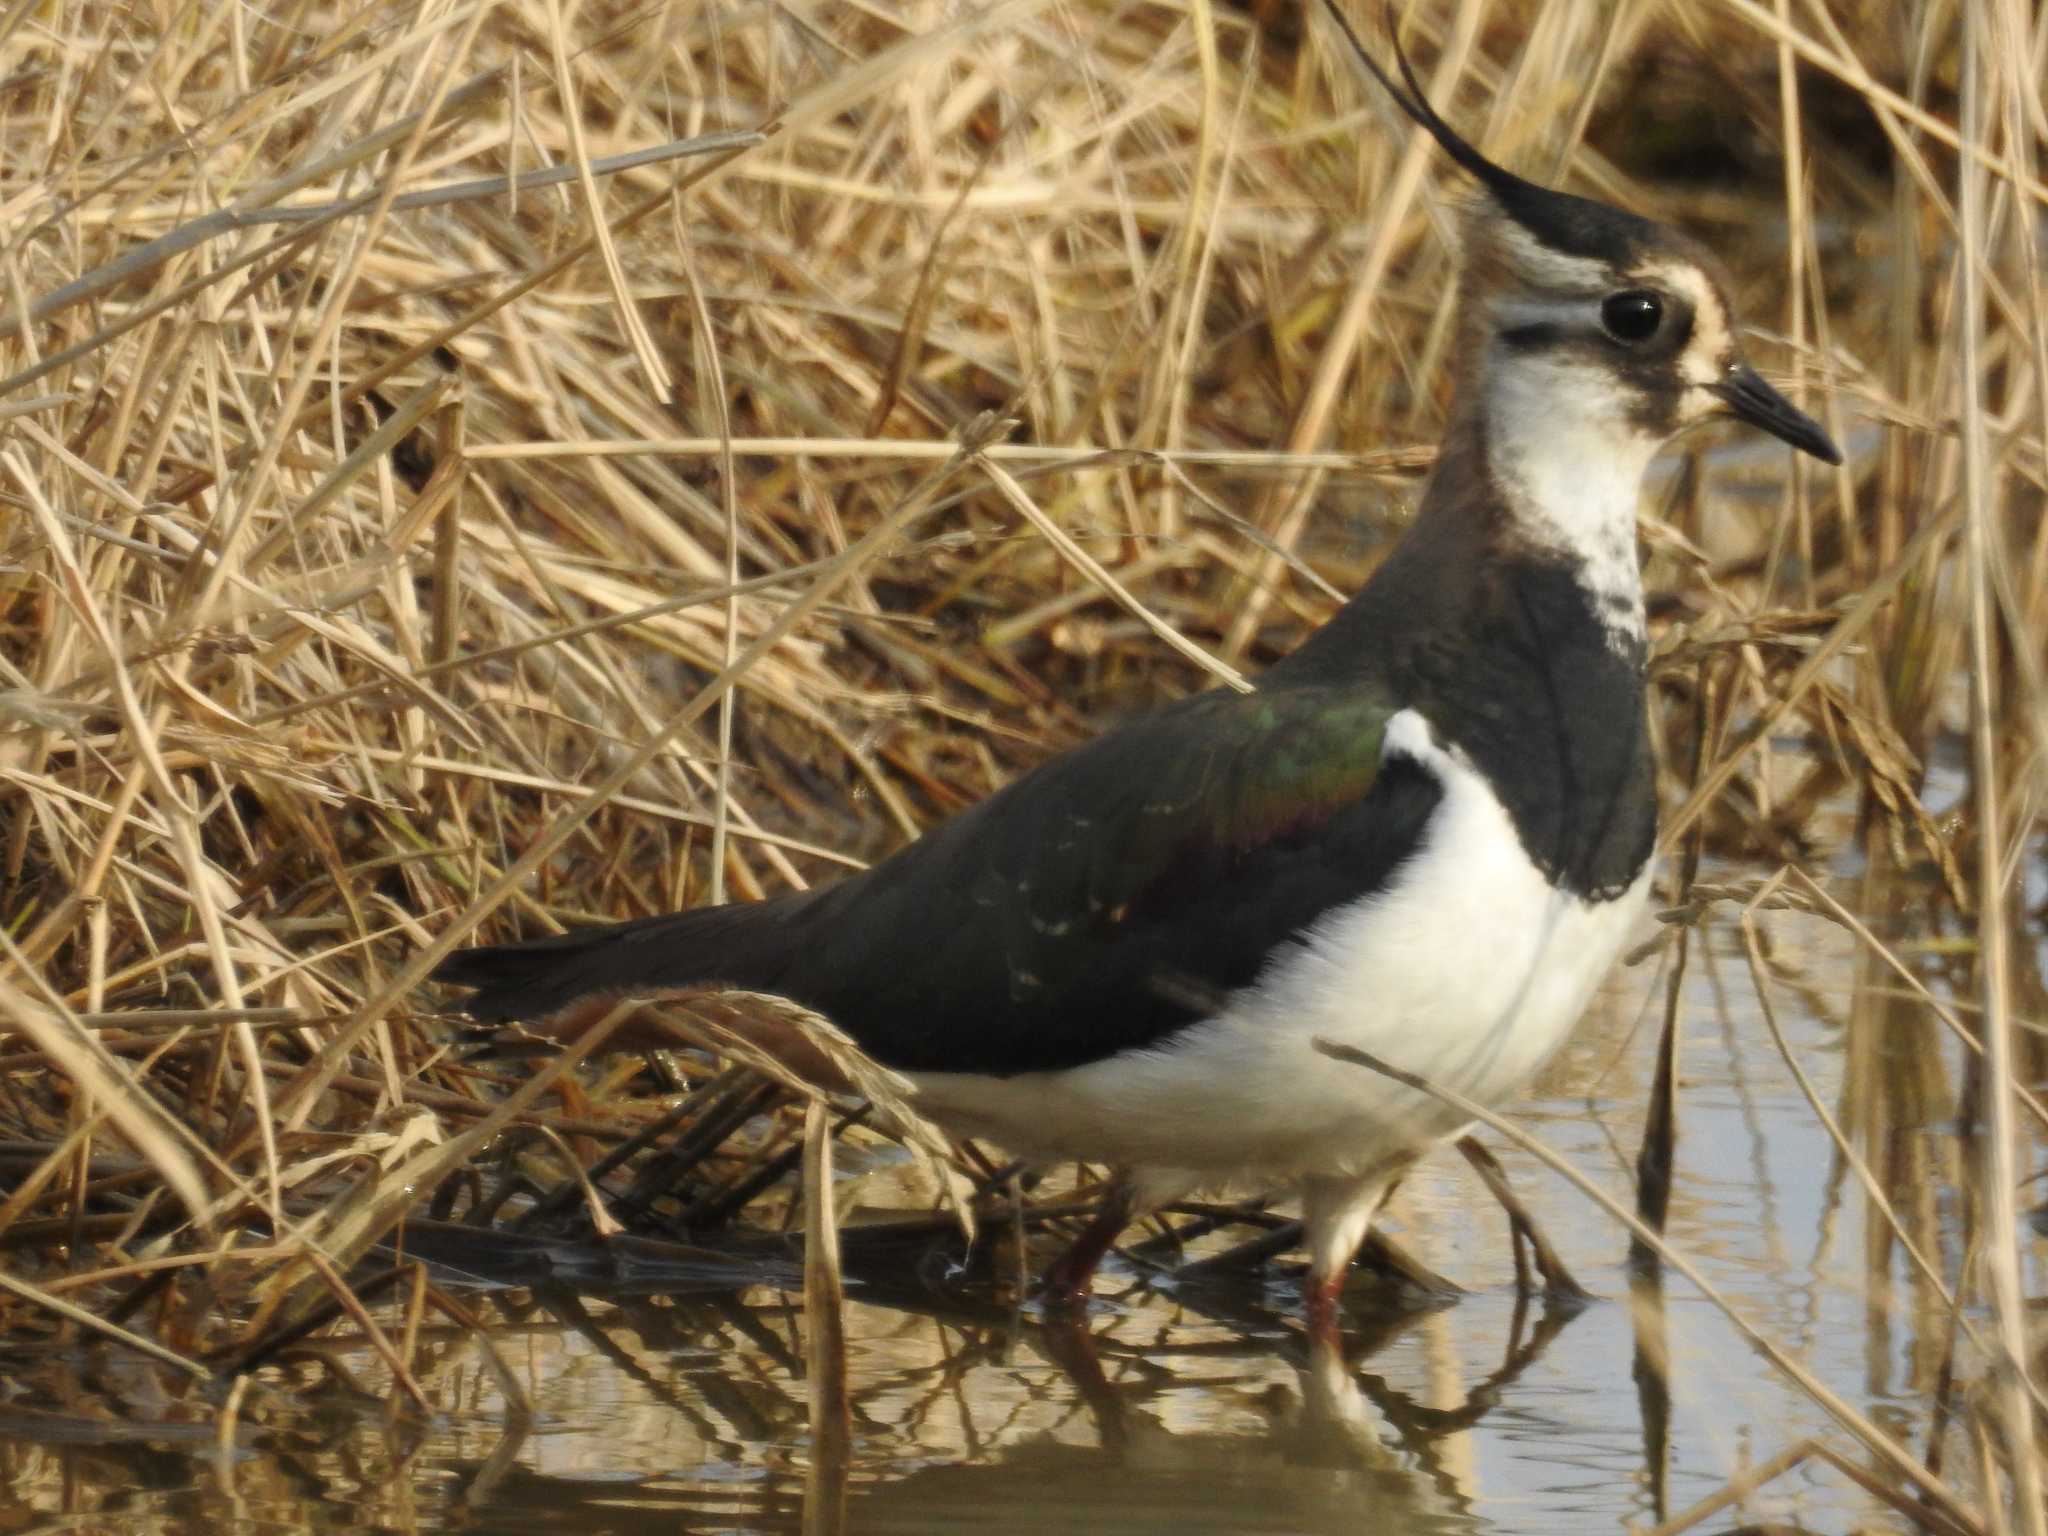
point(1426, 833)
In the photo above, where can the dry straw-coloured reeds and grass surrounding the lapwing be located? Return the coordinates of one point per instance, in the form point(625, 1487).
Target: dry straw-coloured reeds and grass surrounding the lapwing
point(476, 470)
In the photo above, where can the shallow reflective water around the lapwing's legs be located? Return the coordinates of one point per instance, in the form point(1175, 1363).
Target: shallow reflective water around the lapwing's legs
point(1181, 1408)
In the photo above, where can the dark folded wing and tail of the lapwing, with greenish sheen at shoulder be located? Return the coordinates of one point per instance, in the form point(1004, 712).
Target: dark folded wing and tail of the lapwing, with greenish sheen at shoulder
point(1095, 906)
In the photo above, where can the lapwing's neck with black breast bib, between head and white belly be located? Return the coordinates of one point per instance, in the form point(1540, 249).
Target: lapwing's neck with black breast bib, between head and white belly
point(1512, 620)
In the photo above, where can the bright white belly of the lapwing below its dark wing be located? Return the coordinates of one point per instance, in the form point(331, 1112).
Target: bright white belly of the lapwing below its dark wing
point(1467, 970)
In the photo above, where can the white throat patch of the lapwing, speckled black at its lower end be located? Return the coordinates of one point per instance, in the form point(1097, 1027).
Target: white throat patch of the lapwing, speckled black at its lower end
point(1570, 466)
